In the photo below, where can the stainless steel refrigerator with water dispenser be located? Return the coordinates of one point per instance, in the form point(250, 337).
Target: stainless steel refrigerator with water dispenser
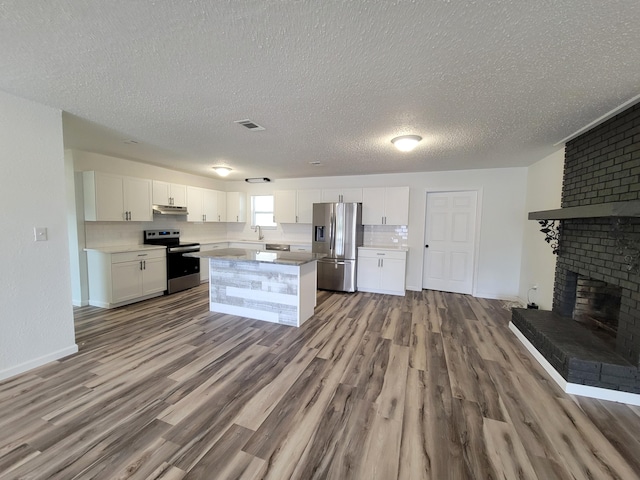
point(337, 232)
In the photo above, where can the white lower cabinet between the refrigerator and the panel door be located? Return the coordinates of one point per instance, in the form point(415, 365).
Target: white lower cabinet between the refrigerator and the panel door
point(382, 271)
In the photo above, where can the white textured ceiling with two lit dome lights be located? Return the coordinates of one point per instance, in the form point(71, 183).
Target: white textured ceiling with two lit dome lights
point(486, 83)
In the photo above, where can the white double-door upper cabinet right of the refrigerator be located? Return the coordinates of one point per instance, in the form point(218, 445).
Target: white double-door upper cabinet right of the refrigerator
point(385, 206)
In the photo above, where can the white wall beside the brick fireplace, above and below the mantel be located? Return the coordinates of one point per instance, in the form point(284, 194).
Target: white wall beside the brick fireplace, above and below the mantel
point(544, 191)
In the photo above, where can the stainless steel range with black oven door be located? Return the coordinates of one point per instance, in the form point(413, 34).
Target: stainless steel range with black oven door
point(182, 272)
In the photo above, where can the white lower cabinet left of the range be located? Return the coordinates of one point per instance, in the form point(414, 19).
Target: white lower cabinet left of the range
point(117, 279)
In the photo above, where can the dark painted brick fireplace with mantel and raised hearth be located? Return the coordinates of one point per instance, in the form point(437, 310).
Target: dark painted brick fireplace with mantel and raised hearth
point(592, 335)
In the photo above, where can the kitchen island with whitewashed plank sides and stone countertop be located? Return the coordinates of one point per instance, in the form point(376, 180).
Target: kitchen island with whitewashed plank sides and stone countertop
point(278, 287)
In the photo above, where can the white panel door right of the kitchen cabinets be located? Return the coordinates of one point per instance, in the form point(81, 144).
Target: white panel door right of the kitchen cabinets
point(450, 241)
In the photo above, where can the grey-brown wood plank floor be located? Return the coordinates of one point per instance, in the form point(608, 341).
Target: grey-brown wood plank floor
point(429, 386)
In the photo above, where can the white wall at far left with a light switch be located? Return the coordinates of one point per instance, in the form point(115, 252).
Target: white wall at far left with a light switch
point(36, 317)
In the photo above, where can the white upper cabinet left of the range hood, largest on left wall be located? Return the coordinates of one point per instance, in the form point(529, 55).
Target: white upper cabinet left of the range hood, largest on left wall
point(115, 198)
